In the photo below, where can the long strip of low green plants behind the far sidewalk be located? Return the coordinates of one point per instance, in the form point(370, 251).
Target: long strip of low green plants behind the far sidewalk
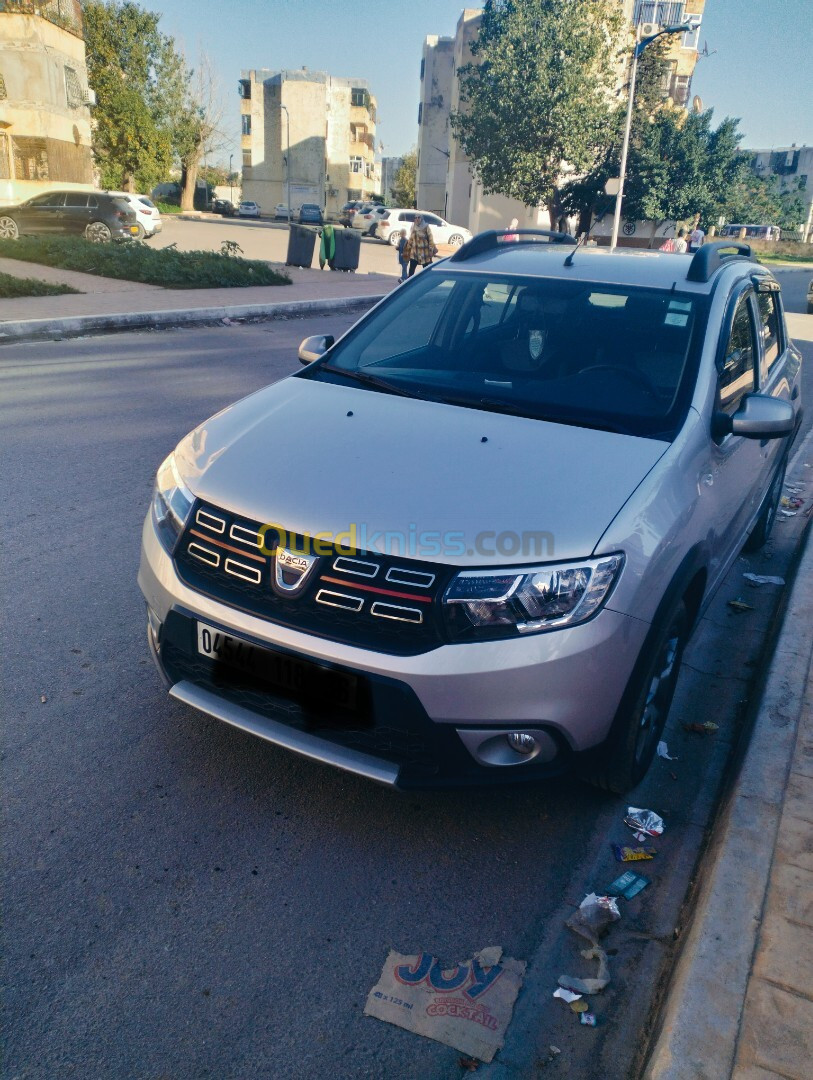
point(154, 266)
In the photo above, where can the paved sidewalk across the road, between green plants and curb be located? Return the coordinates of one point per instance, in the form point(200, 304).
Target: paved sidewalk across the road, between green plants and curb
point(110, 304)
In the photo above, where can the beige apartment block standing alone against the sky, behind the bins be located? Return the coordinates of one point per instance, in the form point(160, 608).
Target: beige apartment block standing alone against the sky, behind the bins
point(332, 157)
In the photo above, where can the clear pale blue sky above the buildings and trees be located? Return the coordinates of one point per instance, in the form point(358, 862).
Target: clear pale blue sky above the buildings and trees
point(760, 67)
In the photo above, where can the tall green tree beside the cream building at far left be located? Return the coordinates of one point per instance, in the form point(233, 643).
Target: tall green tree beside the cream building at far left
point(139, 78)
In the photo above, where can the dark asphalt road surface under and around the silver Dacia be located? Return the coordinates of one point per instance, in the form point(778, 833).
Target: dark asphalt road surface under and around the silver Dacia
point(185, 901)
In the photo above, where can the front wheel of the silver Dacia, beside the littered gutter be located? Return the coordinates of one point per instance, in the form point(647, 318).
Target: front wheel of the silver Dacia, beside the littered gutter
point(624, 761)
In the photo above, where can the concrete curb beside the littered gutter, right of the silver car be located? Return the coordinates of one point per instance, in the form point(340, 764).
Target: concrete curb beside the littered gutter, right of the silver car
point(701, 1019)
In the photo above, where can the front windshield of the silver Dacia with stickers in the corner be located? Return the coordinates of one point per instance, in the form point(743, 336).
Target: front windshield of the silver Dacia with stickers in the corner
point(611, 357)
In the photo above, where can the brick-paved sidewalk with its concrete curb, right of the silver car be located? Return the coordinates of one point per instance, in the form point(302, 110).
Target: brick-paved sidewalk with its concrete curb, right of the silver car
point(740, 1006)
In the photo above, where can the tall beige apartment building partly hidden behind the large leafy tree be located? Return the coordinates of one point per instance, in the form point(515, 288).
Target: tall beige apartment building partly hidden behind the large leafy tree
point(464, 201)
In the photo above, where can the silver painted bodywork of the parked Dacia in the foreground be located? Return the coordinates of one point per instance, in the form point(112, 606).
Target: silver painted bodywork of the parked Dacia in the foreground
point(680, 512)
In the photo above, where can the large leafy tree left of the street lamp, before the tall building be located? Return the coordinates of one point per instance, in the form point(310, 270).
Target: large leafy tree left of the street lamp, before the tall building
point(537, 96)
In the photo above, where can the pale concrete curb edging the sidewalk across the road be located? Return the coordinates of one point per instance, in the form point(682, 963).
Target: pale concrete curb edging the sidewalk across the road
point(76, 326)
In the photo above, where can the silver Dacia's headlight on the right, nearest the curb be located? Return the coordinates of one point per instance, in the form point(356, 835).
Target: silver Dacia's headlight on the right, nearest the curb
point(491, 604)
